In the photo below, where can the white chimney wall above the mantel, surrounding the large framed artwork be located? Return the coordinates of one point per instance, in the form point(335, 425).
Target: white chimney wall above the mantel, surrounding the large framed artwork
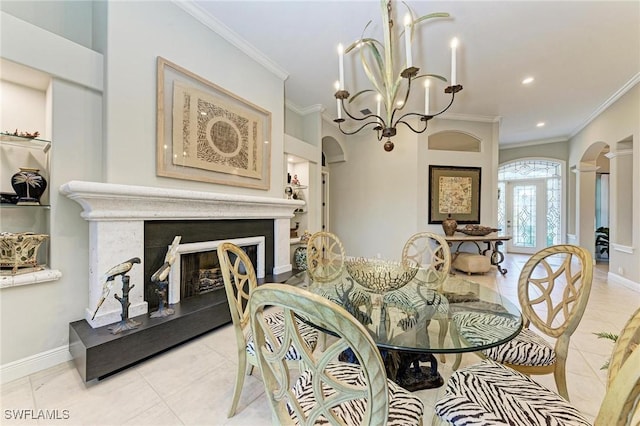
point(164, 29)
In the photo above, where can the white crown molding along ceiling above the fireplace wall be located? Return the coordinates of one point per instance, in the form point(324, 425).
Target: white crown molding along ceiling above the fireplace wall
point(229, 35)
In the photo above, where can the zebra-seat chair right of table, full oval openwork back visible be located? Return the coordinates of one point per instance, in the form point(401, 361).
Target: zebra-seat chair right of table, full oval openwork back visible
point(553, 290)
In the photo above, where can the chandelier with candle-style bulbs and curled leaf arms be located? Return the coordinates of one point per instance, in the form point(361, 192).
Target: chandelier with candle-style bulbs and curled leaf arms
point(393, 87)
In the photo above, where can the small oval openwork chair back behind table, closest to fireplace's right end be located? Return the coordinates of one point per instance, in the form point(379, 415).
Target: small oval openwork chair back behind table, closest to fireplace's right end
point(325, 256)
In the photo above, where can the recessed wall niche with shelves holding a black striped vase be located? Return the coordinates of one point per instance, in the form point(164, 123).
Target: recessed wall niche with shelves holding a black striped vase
point(25, 146)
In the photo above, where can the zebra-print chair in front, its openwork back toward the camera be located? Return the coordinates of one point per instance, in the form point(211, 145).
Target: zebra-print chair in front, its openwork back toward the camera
point(327, 391)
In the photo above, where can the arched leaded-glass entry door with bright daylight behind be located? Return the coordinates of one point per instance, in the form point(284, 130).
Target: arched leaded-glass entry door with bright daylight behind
point(530, 202)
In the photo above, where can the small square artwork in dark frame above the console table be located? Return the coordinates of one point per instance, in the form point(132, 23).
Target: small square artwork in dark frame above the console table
point(456, 191)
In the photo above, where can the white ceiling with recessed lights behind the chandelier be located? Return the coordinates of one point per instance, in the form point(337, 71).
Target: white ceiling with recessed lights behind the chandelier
point(582, 55)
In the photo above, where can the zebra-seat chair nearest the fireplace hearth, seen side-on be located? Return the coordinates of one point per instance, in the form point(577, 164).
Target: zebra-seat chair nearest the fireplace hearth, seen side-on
point(239, 282)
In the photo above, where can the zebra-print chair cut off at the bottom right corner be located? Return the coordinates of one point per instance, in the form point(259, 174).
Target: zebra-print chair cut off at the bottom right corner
point(489, 393)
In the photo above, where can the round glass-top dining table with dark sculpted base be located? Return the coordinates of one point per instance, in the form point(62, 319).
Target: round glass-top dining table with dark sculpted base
point(413, 323)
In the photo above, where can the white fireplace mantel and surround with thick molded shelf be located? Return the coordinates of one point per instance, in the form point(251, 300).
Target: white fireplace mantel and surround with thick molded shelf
point(116, 214)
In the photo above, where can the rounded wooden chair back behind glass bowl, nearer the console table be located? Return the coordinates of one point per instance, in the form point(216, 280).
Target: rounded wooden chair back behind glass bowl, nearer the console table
point(431, 251)
